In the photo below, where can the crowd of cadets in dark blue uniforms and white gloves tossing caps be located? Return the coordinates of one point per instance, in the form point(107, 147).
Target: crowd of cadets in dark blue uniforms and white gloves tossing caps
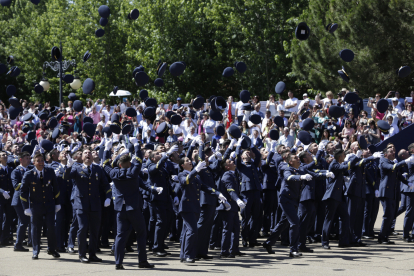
point(194, 195)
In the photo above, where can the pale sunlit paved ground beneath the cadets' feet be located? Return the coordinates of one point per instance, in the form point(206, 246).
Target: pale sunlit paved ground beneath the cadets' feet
point(371, 260)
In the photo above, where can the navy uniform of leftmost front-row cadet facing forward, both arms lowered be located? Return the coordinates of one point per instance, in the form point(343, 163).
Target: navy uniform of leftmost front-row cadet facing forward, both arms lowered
point(40, 192)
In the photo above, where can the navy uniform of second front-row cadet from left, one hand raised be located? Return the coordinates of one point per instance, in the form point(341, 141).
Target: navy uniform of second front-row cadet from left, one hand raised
point(88, 182)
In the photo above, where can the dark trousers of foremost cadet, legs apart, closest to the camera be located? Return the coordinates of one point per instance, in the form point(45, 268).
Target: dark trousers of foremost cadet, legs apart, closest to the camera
point(127, 221)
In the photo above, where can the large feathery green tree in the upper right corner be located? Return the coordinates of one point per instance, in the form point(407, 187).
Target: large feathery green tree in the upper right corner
point(379, 32)
